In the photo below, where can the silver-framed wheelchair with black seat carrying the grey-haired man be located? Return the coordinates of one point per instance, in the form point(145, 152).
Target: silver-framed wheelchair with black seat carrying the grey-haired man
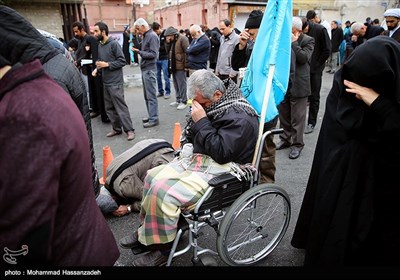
point(249, 219)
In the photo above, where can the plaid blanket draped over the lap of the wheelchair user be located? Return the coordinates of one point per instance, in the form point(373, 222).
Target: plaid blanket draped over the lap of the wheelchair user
point(171, 187)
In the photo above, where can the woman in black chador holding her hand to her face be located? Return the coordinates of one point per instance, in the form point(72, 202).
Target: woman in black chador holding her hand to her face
point(350, 209)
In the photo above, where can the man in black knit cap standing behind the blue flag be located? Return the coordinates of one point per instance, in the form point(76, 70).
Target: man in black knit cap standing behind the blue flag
point(240, 58)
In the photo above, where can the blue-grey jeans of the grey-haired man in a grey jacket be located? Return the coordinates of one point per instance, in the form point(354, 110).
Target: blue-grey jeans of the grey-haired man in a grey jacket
point(149, 91)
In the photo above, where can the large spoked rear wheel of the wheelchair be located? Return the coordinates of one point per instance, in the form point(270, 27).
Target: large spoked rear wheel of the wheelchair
point(254, 225)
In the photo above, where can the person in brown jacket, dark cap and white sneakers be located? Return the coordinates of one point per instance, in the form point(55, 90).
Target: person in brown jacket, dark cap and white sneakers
point(176, 63)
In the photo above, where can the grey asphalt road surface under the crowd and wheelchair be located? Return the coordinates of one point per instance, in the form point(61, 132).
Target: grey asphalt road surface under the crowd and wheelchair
point(292, 175)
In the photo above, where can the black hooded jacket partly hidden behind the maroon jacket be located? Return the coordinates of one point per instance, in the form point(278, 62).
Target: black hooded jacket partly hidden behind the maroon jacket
point(21, 42)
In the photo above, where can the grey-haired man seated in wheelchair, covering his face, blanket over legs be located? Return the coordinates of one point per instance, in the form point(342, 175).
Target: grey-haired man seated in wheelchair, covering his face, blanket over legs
point(223, 131)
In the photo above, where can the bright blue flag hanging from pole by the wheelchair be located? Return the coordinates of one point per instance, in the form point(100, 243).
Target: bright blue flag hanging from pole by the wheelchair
point(272, 47)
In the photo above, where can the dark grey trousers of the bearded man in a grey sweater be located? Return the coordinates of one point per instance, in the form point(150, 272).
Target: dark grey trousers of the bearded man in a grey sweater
point(116, 108)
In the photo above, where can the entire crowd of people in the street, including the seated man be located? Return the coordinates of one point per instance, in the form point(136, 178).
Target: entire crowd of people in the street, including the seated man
point(349, 202)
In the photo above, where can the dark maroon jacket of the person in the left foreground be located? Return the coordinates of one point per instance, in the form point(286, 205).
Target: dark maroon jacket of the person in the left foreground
point(45, 169)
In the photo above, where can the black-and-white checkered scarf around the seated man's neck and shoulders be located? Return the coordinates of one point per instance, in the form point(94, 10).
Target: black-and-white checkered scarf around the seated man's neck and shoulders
point(231, 99)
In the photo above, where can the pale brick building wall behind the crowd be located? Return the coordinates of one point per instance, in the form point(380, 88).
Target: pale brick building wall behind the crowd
point(57, 16)
